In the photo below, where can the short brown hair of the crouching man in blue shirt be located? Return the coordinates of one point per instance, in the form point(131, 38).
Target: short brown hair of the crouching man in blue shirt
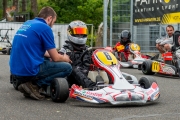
point(46, 12)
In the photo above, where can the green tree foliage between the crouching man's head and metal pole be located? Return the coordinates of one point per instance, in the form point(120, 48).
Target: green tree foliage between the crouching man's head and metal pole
point(89, 11)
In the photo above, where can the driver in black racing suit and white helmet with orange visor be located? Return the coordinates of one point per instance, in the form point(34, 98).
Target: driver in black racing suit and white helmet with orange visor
point(74, 47)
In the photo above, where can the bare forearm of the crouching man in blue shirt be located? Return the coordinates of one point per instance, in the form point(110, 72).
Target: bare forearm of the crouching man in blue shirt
point(56, 57)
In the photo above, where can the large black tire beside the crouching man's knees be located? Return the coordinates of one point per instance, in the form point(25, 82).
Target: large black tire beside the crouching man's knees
point(59, 90)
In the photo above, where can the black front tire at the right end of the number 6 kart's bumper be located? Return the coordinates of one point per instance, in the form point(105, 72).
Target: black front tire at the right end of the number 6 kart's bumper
point(146, 82)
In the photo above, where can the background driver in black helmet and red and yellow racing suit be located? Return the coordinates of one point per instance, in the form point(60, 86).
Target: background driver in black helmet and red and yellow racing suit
point(122, 47)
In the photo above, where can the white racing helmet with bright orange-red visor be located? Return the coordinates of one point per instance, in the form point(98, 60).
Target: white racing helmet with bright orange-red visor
point(77, 32)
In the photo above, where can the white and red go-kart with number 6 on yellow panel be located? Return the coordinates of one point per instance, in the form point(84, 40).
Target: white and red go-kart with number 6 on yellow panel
point(125, 88)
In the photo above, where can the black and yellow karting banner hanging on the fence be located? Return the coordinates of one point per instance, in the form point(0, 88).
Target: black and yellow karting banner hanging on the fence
point(156, 11)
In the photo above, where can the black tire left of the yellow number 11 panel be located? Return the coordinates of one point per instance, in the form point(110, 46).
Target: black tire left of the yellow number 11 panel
point(146, 67)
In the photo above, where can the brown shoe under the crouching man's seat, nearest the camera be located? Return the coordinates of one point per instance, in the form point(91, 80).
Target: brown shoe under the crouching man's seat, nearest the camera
point(32, 90)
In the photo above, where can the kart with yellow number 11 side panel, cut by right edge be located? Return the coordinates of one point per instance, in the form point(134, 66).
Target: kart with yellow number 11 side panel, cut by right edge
point(169, 65)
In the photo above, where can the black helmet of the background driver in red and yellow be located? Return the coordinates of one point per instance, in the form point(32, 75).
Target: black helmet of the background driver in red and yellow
point(125, 36)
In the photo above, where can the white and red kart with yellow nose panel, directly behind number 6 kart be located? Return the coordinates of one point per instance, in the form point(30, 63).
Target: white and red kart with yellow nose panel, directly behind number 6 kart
point(135, 57)
